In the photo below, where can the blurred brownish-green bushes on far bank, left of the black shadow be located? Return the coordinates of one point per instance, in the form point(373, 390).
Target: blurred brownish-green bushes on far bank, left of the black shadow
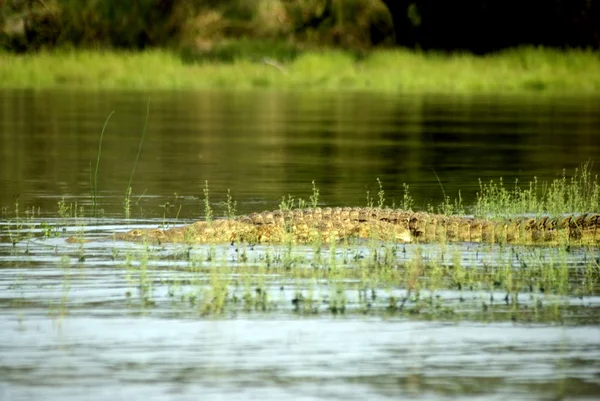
point(199, 24)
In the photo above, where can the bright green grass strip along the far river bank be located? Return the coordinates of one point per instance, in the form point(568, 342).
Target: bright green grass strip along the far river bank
point(518, 71)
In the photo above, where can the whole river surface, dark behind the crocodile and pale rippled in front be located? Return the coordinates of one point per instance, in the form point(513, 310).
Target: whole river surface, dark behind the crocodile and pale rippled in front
point(122, 321)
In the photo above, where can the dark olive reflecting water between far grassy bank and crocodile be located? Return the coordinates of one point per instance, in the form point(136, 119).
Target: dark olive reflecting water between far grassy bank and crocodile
point(263, 145)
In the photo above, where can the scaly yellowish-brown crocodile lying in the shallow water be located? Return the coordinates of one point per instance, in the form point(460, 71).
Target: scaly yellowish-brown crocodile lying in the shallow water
point(393, 225)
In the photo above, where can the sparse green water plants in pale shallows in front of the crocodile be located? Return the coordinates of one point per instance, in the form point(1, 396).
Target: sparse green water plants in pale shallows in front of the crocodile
point(527, 286)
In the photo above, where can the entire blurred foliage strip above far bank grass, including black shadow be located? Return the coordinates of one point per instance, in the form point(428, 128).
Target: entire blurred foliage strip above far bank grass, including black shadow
point(226, 29)
